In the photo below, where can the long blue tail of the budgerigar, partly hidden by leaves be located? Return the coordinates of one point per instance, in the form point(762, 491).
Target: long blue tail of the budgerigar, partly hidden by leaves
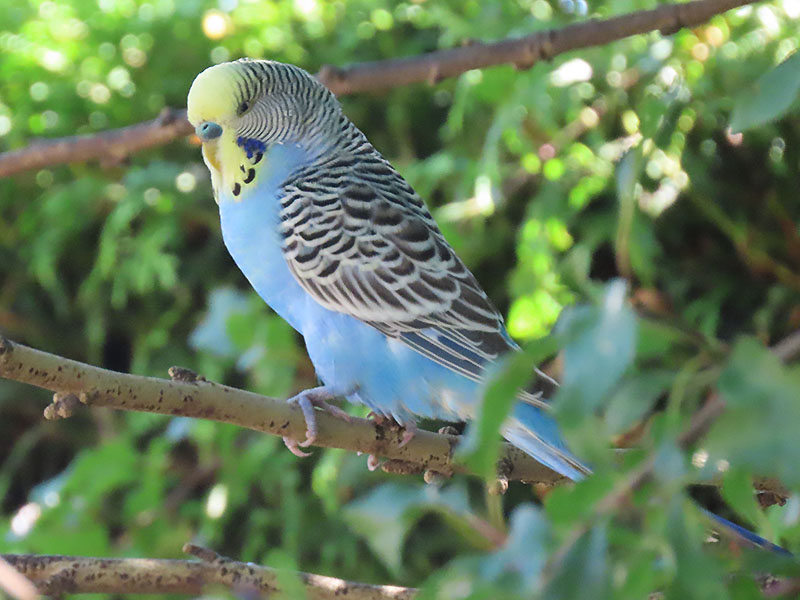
point(537, 434)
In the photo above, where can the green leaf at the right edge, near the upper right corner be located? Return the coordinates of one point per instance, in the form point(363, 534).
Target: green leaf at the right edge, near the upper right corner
point(770, 97)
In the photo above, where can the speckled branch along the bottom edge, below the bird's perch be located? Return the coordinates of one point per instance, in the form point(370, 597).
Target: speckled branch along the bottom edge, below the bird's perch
point(56, 575)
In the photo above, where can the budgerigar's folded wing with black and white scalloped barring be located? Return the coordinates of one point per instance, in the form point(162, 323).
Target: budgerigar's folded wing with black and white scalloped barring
point(360, 241)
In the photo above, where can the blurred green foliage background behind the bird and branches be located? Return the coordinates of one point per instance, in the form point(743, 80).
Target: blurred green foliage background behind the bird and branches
point(552, 183)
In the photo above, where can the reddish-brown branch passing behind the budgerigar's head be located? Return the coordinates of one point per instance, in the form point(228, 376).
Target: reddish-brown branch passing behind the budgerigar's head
point(112, 146)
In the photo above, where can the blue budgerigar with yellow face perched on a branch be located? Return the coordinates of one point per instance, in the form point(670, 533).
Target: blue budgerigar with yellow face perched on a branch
point(336, 241)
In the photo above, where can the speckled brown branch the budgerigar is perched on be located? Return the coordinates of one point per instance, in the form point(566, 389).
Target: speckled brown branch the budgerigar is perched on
point(77, 383)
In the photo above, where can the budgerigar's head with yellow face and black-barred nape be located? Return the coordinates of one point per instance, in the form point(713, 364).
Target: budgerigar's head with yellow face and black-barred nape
point(240, 109)
